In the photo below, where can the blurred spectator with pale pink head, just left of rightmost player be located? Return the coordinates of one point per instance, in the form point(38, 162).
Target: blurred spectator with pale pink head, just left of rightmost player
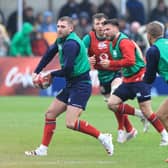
point(136, 36)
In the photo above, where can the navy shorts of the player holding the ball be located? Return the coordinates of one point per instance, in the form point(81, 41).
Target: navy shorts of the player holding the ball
point(76, 94)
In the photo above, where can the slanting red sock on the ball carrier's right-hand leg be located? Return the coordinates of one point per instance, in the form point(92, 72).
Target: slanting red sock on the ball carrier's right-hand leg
point(86, 128)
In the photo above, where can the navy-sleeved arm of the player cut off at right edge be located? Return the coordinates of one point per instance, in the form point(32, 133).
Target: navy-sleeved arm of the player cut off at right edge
point(152, 61)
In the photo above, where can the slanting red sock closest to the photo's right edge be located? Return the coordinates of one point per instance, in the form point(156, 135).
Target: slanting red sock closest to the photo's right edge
point(156, 122)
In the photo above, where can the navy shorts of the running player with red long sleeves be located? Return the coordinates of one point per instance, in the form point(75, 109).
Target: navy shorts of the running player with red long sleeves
point(141, 90)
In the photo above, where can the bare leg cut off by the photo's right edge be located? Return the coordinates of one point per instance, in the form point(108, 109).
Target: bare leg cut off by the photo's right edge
point(162, 113)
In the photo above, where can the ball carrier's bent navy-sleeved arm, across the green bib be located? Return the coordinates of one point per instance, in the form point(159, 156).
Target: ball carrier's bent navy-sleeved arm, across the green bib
point(70, 51)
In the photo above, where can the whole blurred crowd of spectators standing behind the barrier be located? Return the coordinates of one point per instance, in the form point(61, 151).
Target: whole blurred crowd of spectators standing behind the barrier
point(39, 31)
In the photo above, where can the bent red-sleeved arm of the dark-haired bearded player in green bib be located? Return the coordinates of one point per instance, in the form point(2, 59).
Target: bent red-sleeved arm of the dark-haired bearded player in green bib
point(127, 48)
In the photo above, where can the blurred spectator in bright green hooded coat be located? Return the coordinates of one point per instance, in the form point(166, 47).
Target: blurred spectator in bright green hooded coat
point(20, 43)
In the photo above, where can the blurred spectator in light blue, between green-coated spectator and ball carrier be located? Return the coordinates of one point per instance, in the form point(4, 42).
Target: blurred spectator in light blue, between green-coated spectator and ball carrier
point(48, 24)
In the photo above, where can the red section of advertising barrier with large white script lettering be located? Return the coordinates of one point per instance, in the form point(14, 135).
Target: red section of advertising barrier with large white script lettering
point(15, 75)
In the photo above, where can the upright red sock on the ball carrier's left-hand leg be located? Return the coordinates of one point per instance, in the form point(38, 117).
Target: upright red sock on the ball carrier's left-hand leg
point(49, 128)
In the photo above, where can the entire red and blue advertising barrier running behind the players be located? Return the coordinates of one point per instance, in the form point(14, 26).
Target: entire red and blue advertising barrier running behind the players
point(15, 78)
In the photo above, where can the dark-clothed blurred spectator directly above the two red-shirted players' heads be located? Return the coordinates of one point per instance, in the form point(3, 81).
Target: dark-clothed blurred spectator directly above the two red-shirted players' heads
point(108, 8)
